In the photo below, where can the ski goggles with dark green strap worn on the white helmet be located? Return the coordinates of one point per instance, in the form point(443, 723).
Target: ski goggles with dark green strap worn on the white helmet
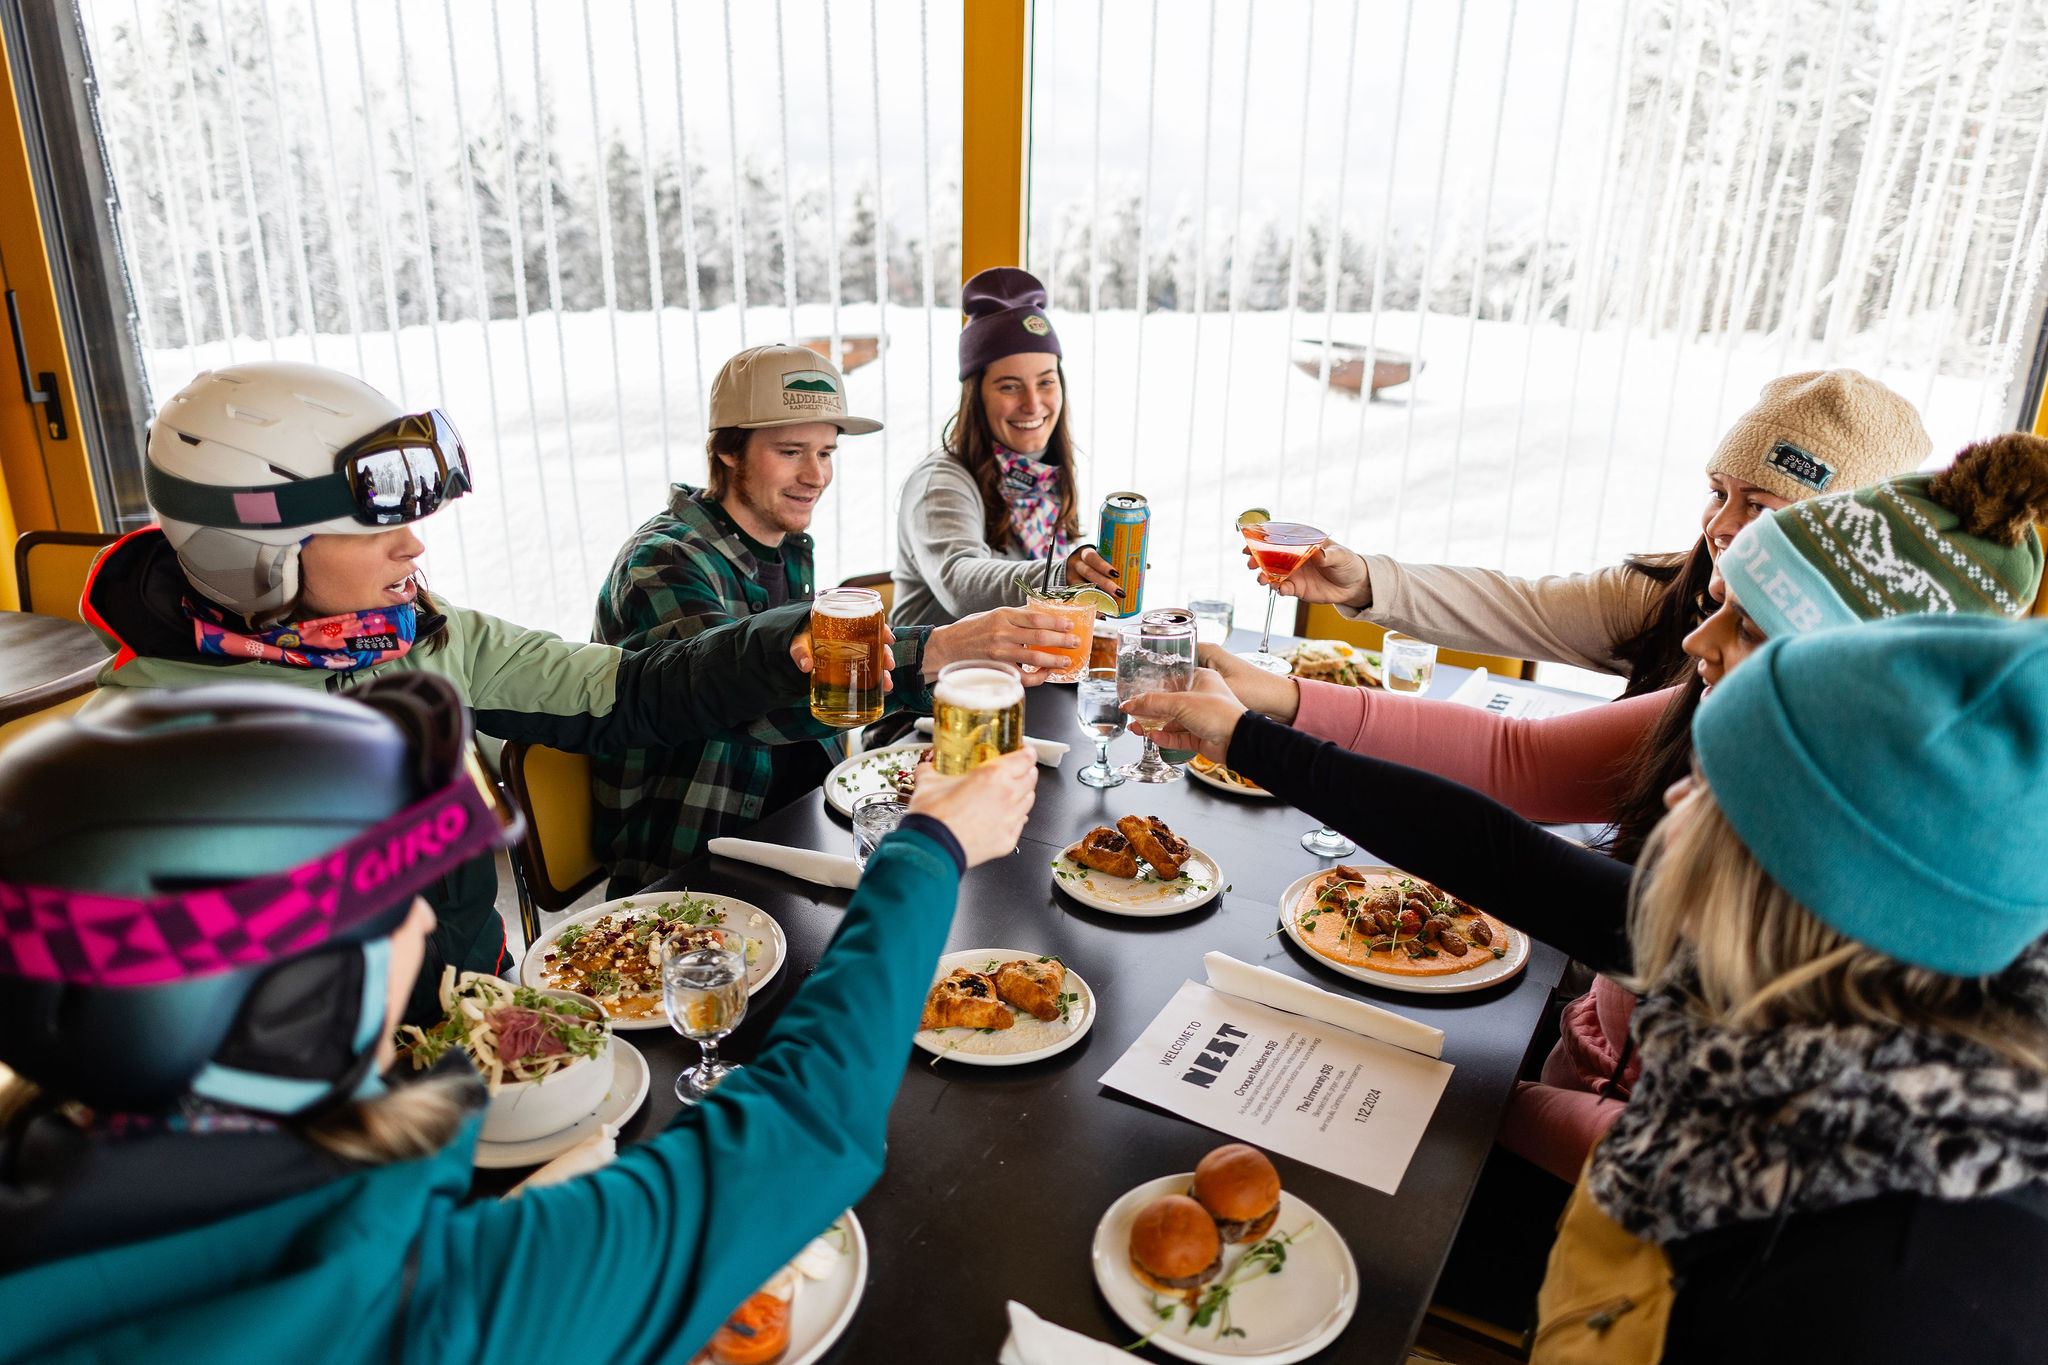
point(398, 474)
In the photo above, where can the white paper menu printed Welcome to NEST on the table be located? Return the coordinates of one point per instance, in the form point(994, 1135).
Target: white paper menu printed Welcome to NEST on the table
point(1314, 1092)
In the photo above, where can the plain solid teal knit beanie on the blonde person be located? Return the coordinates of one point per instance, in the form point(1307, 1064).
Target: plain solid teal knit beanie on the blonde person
point(1893, 779)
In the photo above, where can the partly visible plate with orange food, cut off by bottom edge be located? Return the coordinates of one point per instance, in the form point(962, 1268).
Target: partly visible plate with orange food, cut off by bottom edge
point(804, 1309)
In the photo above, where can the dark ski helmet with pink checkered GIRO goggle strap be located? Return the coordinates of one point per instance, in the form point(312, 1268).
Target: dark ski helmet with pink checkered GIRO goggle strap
point(175, 795)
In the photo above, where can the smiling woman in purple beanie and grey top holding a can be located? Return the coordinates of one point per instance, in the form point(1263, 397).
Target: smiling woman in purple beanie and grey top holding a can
point(1000, 492)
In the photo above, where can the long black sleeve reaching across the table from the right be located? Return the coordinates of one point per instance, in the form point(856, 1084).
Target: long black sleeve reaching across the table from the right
point(1449, 834)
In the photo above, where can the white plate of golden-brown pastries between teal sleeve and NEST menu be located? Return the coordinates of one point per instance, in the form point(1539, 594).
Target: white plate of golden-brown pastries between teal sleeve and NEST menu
point(1005, 1008)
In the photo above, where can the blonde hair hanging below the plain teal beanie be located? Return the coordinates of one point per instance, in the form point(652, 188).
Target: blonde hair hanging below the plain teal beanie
point(1760, 961)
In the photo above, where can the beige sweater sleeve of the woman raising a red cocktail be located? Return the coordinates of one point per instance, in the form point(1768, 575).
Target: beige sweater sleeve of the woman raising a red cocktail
point(1560, 619)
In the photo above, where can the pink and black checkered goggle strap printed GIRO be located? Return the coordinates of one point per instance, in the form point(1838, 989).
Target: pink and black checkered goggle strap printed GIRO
point(95, 940)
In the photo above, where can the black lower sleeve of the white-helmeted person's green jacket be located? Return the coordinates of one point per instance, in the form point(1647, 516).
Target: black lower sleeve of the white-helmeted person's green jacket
point(673, 693)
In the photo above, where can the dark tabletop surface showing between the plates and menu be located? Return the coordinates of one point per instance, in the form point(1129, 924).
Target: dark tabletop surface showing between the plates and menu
point(996, 1176)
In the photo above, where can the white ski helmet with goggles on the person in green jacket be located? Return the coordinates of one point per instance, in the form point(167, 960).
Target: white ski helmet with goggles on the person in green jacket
point(224, 449)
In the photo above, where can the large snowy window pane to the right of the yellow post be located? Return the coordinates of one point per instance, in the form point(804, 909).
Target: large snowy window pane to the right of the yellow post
point(1578, 238)
